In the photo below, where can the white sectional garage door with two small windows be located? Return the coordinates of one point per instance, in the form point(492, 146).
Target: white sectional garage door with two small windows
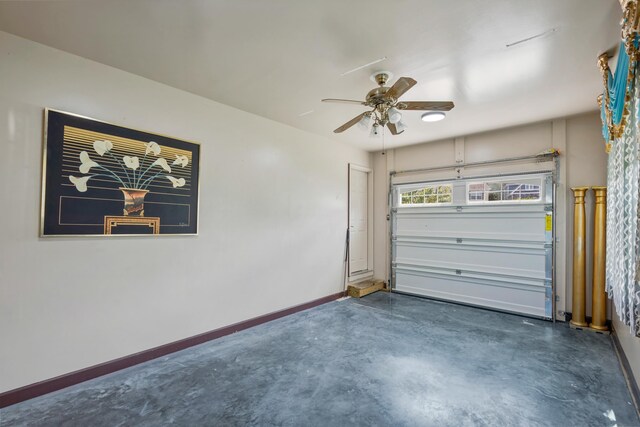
point(484, 242)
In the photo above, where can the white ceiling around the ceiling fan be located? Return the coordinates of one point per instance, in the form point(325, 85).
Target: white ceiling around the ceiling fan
point(279, 58)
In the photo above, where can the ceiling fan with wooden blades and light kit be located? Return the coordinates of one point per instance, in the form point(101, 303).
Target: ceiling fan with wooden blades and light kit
point(385, 107)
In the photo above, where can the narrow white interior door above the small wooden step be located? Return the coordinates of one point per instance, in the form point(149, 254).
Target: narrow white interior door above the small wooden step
point(358, 220)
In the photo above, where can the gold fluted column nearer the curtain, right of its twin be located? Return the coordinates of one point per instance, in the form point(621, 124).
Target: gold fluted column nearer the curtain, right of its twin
point(599, 307)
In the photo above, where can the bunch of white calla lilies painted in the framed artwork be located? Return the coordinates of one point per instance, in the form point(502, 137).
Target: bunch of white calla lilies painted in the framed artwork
point(128, 171)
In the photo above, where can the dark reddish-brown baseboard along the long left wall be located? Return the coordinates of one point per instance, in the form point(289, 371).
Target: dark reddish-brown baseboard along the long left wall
point(30, 391)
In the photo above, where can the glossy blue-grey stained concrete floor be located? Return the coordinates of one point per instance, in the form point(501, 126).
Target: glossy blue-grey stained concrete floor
point(386, 359)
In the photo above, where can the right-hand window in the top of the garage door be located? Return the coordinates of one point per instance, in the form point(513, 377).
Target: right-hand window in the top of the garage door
point(514, 190)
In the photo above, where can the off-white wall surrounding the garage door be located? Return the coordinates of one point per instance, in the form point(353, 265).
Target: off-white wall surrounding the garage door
point(583, 162)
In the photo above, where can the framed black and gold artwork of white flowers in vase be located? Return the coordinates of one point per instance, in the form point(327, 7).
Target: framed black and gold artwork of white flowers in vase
point(102, 179)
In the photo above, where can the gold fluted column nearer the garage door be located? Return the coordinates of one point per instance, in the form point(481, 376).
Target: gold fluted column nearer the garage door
point(579, 258)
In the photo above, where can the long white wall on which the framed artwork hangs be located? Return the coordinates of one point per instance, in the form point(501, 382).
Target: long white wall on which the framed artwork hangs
point(273, 212)
